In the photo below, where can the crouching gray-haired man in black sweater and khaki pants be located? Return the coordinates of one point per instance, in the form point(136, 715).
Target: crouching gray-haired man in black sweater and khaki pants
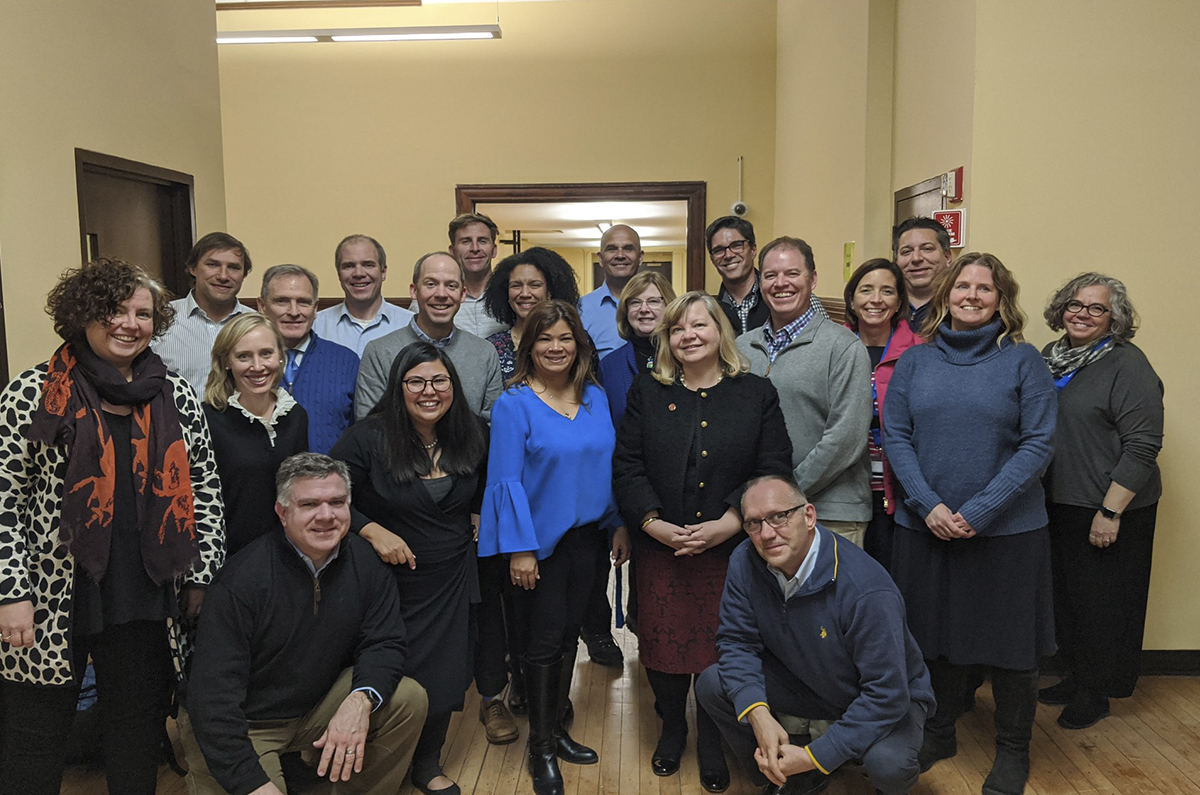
point(302, 648)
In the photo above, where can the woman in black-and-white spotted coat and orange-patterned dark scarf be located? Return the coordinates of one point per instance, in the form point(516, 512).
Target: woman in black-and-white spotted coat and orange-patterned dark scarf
point(110, 529)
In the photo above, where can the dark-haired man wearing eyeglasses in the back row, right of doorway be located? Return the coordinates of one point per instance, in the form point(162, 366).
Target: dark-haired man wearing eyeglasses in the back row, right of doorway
point(731, 247)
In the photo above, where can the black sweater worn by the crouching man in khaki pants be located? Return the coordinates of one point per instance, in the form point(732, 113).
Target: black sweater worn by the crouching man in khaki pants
point(273, 642)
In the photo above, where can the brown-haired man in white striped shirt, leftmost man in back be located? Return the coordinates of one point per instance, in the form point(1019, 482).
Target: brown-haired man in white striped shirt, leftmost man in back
point(219, 264)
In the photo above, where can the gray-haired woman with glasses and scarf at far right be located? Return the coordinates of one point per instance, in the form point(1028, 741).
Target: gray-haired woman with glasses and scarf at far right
point(1103, 488)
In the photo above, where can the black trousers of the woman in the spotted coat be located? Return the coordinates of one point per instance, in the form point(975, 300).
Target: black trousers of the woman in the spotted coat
point(134, 684)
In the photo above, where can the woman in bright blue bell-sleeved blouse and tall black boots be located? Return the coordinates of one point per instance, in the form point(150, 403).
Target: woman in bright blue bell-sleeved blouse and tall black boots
point(548, 507)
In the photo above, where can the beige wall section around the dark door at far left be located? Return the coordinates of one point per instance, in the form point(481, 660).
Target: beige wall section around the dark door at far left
point(137, 80)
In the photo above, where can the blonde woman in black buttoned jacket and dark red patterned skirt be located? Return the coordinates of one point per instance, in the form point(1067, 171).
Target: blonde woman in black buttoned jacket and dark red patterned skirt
point(697, 428)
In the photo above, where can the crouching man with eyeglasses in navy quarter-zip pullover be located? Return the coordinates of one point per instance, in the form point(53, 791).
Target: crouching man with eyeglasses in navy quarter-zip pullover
point(812, 626)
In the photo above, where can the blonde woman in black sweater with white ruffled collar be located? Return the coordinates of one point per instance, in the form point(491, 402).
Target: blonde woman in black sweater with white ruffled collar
point(255, 425)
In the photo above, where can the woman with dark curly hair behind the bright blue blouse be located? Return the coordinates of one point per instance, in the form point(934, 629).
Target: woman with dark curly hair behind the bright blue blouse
point(521, 283)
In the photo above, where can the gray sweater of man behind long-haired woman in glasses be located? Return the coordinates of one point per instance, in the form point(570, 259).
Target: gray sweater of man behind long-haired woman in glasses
point(476, 360)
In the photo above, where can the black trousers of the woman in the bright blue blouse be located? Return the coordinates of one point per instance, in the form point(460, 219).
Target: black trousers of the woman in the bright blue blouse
point(554, 612)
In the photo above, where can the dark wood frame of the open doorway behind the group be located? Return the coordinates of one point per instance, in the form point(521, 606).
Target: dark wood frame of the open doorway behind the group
point(694, 194)
